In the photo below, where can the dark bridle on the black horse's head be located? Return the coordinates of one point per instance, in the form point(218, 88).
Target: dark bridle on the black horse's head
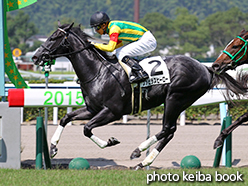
point(48, 56)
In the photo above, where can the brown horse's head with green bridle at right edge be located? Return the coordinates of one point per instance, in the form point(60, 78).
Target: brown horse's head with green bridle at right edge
point(233, 55)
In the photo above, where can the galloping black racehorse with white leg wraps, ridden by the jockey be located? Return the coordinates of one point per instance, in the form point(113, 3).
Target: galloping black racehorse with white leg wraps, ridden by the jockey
point(107, 91)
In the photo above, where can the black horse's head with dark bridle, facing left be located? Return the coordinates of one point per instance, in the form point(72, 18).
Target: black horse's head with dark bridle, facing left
point(55, 46)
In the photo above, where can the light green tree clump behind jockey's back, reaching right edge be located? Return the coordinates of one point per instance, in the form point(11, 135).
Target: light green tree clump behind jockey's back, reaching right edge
point(186, 34)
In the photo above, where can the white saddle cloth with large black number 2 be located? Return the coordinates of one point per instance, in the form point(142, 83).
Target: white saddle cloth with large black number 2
point(155, 67)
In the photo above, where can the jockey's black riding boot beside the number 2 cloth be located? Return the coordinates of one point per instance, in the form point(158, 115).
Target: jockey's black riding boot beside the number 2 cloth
point(138, 74)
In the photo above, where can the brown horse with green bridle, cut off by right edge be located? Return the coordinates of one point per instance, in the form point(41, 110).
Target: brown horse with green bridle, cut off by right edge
point(234, 54)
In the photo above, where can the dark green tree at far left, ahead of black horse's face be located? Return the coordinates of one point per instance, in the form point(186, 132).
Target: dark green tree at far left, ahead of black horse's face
point(19, 30)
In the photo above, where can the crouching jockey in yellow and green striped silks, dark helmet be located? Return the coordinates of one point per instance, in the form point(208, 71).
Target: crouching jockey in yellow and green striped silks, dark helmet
point(140, 41)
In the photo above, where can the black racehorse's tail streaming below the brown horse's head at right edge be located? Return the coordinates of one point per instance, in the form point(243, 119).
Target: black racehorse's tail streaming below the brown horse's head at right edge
point(236, 87)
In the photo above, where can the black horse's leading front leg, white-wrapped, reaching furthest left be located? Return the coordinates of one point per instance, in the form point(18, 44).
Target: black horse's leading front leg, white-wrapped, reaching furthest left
point(79, 114)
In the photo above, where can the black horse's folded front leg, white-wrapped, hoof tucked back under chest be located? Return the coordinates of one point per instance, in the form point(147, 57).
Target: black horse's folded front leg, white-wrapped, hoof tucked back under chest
point(104, 117)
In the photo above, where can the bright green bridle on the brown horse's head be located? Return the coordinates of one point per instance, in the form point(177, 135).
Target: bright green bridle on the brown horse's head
point(235, 62)
